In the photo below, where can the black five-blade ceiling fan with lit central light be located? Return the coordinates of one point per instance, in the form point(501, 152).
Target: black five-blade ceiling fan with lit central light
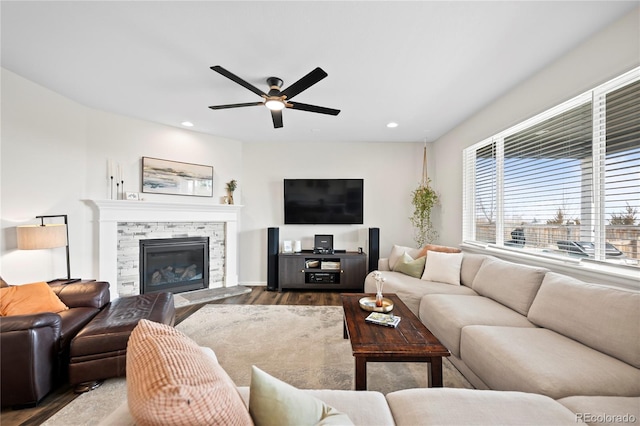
point(276, 100)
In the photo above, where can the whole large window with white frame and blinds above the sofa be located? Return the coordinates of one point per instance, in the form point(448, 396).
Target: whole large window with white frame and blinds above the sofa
point(564, 183)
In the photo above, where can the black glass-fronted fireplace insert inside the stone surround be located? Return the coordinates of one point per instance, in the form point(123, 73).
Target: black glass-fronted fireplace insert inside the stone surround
point(174, 264)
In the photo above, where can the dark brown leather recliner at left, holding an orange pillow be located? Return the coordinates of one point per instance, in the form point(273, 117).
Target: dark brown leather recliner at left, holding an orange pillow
point(34, 349)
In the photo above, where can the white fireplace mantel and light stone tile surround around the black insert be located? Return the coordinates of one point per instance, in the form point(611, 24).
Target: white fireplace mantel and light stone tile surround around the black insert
point(123, 223)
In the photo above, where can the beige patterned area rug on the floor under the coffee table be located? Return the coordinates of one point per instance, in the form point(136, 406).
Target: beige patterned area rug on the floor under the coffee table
point(301, 345)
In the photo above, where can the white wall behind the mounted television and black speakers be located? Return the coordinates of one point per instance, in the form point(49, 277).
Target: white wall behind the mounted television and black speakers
point(390, 172)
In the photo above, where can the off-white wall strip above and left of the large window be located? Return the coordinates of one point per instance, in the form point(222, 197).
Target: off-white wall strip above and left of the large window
point(606, 55)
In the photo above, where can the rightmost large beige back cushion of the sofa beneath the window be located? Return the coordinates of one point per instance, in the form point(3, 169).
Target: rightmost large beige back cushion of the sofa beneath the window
point(604, 318)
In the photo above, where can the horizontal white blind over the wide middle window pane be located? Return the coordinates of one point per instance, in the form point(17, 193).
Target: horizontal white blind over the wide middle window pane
point(547, 177)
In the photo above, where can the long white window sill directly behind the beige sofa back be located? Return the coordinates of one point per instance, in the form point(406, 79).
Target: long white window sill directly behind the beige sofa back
point(593, 272)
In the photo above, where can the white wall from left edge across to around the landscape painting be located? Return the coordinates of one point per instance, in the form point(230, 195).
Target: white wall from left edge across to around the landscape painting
point(54, 157)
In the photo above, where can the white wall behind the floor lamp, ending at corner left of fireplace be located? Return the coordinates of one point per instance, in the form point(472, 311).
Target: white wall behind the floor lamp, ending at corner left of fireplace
point(43, 171)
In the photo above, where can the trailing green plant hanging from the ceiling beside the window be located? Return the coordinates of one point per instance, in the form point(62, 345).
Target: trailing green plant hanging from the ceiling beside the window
point(424, 199)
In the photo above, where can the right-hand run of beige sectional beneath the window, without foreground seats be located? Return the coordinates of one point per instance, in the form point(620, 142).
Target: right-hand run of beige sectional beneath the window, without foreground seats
point(512, 327)
